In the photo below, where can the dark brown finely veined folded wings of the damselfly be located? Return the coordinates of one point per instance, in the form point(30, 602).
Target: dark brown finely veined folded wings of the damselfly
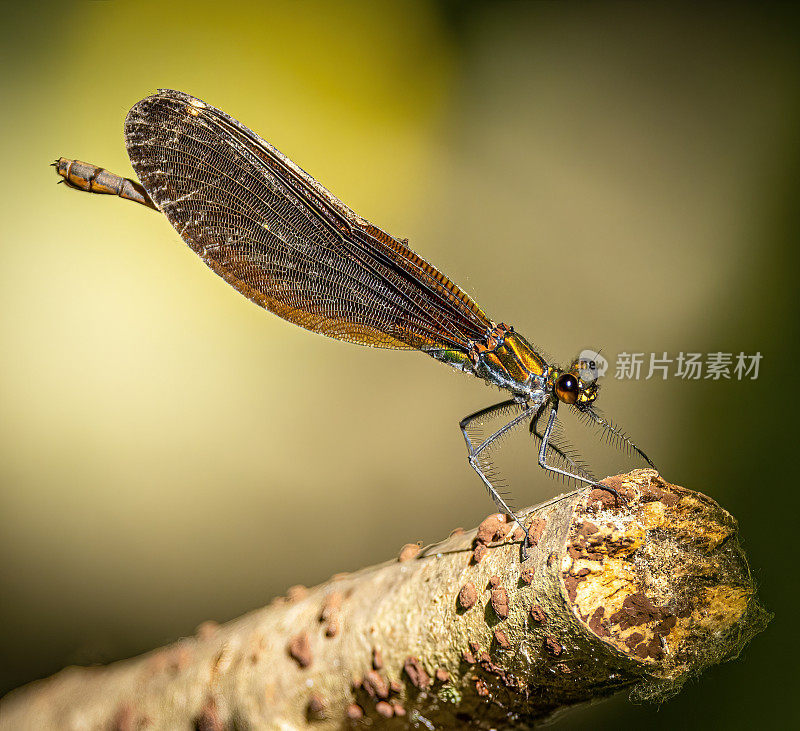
point(285, 242)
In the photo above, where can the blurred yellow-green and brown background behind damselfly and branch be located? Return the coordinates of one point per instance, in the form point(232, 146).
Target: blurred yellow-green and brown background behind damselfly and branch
point(622, 176)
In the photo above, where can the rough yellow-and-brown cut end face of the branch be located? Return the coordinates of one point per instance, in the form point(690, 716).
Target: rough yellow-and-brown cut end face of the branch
point(663, 579)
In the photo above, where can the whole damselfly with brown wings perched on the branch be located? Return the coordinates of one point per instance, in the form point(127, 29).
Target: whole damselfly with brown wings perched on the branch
point(288, 244)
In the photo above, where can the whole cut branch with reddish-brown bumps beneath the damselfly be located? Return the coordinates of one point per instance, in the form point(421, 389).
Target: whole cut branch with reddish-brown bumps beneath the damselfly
point(644, 596)
